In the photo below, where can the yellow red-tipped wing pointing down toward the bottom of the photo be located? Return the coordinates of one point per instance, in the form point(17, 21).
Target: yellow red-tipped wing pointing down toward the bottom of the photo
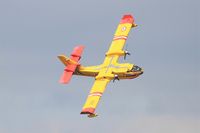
point(94, 96)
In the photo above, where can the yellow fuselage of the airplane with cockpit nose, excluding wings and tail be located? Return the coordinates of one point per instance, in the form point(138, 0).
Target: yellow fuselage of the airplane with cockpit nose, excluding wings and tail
point(110, 69)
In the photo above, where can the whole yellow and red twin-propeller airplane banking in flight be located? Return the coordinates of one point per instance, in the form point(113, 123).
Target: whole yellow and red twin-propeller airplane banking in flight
point(109, 70)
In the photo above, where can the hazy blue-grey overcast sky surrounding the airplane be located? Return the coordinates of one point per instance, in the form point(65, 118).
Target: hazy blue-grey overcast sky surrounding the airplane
point(166, 44)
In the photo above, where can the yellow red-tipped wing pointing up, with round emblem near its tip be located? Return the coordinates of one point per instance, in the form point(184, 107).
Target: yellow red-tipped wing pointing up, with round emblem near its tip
point(120, 37)
